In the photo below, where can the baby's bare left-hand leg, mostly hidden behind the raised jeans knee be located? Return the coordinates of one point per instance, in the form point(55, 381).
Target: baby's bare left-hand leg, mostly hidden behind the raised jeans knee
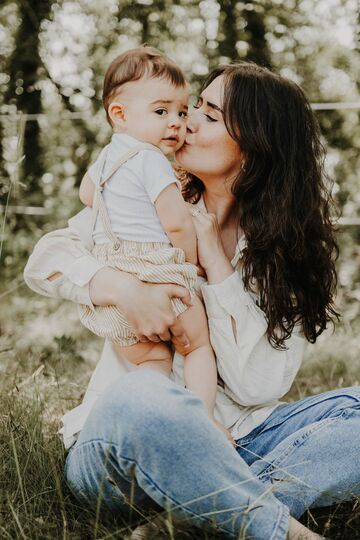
point(147, 356)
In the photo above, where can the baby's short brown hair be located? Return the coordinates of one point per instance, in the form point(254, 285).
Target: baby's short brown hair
point(132, 65)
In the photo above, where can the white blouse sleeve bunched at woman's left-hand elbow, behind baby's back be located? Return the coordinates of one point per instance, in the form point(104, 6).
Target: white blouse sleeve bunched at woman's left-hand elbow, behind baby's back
point(65, 253)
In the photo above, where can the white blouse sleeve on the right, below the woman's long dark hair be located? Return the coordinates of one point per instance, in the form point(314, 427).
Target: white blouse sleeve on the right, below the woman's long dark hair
point(254, 373)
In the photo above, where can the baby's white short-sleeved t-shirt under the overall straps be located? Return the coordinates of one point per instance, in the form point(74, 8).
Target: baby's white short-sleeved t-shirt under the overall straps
point(131, 192)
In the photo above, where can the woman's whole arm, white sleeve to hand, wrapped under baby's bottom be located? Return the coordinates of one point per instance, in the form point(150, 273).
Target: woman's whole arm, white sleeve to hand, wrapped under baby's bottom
point(62, 266)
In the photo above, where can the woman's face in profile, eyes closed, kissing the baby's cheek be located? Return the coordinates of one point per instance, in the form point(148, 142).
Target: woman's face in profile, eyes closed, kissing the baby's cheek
point(209, 152)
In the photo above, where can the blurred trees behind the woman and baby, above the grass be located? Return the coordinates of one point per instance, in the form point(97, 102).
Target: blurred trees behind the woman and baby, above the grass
point(53, 54)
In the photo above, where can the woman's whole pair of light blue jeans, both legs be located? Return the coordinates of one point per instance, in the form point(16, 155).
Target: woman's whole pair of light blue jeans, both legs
point(149, 443)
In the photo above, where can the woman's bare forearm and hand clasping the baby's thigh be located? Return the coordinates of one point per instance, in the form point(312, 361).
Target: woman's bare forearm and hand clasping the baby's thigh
point(146, 306)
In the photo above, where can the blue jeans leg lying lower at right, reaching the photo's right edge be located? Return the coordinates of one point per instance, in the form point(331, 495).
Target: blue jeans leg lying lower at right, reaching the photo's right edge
point(309, 451)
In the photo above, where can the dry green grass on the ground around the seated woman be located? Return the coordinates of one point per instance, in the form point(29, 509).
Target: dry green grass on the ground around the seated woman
point(45, 361)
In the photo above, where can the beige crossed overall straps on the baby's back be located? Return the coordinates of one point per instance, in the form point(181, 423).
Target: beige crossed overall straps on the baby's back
point(99, 207)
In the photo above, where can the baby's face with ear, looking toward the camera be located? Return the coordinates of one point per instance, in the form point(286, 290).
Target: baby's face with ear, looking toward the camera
point(154, 111)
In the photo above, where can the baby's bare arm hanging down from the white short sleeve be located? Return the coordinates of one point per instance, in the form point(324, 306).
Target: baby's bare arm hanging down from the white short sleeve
point(176, 221)
